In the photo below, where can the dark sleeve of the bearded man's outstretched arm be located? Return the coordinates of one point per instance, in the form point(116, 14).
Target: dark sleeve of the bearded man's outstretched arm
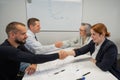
point(14, 54)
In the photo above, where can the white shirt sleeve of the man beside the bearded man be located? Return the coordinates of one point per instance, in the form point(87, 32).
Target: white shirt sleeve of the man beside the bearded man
point(36, 47)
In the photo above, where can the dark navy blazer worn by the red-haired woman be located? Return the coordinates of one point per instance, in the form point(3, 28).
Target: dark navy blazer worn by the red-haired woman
point(106, 58)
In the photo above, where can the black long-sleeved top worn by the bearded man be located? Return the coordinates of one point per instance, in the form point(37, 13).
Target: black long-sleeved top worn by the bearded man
point(11, 57)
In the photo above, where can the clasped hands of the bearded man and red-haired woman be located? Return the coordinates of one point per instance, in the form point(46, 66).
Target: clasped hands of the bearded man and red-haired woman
point(63, 53)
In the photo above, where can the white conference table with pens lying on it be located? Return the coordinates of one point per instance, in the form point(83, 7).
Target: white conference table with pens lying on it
point(71, 68)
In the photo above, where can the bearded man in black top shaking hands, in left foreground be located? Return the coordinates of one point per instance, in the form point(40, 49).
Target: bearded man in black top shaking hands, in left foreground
point(16, 33)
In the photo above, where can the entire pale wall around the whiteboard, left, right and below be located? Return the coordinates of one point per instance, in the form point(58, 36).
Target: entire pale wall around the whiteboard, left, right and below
point(94, 11)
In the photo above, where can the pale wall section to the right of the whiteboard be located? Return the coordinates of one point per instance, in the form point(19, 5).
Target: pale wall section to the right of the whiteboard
point(105, 11)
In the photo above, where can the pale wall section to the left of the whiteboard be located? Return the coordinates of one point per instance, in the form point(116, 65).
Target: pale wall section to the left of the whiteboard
point(11, 10)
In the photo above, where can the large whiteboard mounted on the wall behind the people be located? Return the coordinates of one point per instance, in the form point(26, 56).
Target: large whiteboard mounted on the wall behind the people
point(58, 15)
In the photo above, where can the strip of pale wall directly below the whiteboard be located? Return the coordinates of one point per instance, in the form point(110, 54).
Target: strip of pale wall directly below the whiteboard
point(51, 37)
